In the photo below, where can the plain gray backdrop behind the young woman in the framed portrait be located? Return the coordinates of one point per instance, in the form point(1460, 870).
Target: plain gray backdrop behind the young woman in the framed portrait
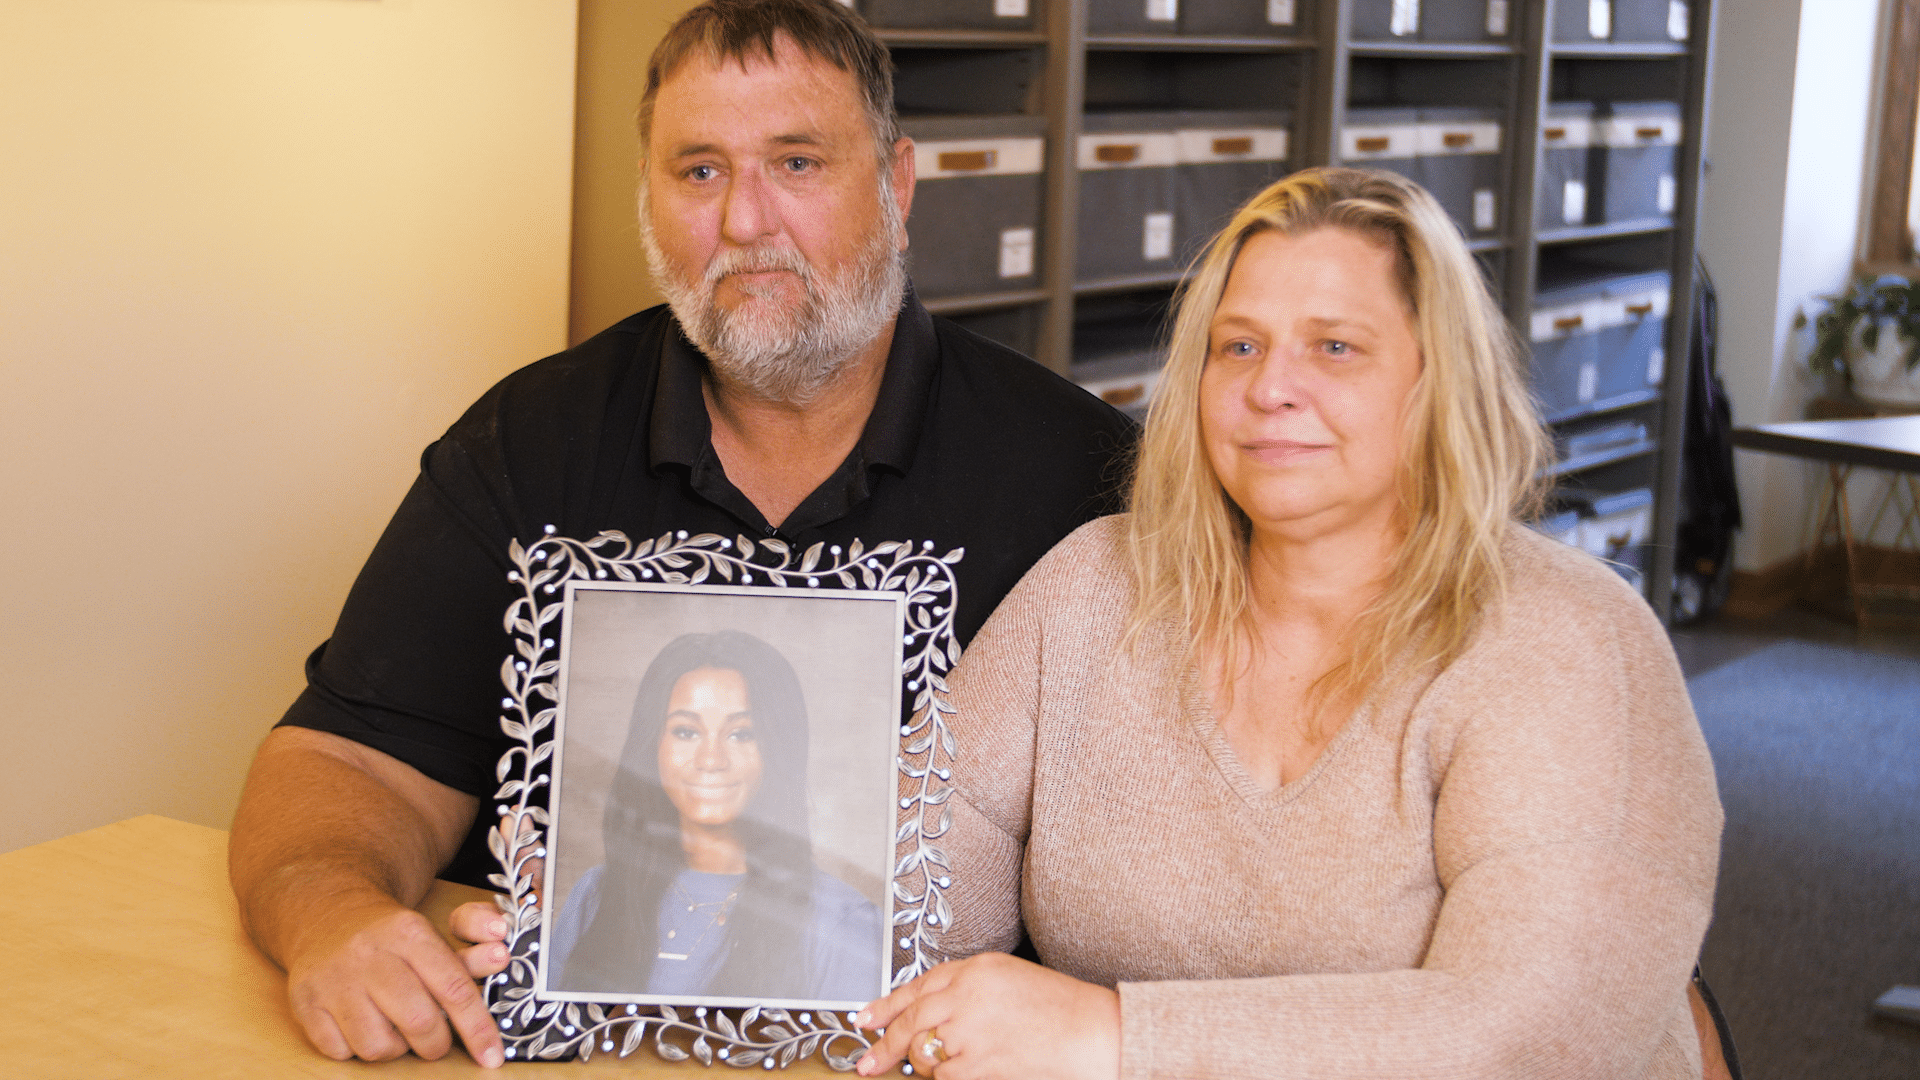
point(846, 652)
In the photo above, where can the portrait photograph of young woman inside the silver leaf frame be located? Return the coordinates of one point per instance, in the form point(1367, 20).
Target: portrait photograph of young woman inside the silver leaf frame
point(723, 797)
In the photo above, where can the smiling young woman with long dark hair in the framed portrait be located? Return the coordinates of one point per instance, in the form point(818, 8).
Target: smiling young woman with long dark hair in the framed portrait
point(709, 887)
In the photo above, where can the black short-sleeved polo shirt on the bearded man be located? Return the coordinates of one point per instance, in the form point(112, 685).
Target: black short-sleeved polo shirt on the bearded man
point(971, 447)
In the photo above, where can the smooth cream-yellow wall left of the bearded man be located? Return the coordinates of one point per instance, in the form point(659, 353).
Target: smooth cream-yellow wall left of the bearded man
point(254, 255)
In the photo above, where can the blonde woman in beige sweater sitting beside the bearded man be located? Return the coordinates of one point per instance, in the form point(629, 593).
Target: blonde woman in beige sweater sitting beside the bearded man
point(1318, 764)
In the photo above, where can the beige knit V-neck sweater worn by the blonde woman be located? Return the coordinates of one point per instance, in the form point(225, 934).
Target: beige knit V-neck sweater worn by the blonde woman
point(1502, 870)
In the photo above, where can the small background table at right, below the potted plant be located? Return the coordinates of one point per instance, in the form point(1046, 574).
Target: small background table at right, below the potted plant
point(1875, 579)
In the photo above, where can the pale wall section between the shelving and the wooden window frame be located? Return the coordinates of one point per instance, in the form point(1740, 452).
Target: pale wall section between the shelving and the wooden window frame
point(1781, 220)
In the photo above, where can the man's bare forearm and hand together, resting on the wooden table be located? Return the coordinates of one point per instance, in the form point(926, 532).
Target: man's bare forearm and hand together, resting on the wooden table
point(333, 848)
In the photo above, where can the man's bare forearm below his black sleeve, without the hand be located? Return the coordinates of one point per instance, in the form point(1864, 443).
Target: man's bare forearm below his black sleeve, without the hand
point(327, 827)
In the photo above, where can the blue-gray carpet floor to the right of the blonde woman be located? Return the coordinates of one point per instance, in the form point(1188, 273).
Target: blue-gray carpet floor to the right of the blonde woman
point(1817, 749)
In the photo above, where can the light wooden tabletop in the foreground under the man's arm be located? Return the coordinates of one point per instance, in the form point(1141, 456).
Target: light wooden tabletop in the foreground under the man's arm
point(124, 956)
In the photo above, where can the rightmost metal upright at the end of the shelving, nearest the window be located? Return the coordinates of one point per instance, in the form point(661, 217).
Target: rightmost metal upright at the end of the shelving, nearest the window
point(1691, 172)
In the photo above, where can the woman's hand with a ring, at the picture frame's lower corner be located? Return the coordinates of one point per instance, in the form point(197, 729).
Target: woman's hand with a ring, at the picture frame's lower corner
point(997, 1018)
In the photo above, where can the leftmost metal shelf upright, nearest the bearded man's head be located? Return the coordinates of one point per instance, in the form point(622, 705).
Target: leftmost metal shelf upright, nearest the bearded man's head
point(1067, 101)
